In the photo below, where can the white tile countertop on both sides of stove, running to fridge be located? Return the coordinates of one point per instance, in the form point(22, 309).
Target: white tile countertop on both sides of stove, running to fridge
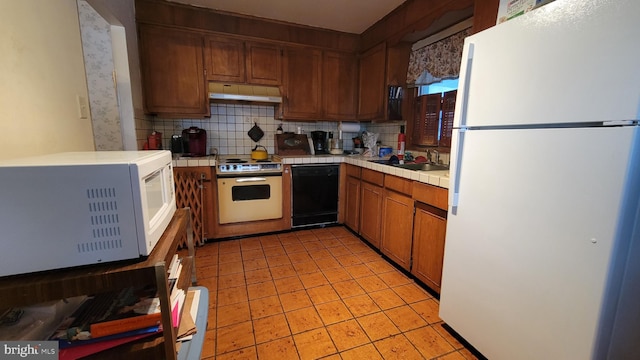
point(437, 178)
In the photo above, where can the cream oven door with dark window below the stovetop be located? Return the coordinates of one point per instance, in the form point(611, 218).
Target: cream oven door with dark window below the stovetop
point(249, 198)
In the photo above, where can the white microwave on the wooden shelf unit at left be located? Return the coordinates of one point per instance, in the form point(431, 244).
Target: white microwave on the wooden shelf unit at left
point(79, 208)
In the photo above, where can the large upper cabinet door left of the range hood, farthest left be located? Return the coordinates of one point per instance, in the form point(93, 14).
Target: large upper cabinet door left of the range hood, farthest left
point(172, 72)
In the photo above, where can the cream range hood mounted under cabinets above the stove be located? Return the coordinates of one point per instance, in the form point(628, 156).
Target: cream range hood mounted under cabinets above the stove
point(249, 93)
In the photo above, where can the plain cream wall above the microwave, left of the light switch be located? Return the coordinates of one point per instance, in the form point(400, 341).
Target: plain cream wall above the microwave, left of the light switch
point(41, 73)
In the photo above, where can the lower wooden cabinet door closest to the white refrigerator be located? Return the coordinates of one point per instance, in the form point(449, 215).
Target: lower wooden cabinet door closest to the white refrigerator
point(430, 225)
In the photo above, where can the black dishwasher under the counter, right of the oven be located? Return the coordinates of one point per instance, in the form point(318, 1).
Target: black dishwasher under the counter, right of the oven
point(315, 194)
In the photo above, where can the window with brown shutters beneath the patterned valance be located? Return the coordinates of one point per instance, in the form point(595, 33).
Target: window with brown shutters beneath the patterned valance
point(434, 108)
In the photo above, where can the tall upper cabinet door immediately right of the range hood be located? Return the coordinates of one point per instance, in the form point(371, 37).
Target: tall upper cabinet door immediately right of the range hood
point(302, 84)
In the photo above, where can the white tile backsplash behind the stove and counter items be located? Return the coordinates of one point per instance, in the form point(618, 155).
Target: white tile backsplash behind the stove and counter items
point(228, 126)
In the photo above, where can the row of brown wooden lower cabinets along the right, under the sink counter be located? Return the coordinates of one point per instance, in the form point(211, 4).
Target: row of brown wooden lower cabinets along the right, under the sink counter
point(404, 219)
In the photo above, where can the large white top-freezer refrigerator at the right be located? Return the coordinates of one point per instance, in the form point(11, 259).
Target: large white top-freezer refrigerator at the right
point(543, 241)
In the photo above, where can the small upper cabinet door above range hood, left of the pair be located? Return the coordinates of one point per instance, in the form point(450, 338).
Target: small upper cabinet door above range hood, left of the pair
point(225, 59)
